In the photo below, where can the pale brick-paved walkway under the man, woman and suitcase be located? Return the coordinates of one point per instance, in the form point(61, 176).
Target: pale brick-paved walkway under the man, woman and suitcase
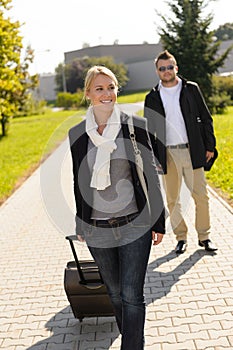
point(189, 297)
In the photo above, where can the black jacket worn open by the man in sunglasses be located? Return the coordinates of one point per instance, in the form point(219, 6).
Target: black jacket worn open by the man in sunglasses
point(197, 118)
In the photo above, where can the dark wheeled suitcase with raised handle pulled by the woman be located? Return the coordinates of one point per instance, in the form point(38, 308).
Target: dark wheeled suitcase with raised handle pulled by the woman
point(84, 287)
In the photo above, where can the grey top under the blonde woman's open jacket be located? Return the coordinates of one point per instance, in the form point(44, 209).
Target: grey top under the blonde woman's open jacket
point(117, 199)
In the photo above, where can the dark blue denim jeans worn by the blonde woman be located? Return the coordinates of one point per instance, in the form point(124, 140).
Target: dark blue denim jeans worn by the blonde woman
point(123, 270)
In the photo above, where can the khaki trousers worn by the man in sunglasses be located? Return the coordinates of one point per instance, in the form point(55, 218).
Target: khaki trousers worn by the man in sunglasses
point(179, 167)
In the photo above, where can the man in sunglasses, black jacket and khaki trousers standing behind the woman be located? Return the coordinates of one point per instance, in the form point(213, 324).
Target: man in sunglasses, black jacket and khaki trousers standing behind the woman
point(182, 136)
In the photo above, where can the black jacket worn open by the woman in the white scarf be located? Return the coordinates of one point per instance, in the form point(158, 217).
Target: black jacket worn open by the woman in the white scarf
point(82, 175)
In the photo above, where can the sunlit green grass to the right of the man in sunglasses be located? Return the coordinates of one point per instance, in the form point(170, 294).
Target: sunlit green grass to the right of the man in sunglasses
point(220, 177)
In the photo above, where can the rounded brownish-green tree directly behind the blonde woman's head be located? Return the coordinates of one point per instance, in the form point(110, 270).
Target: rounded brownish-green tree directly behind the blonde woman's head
point(76, 70)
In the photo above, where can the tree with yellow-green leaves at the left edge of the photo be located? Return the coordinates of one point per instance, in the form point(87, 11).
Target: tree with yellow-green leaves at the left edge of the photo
point(14, 77)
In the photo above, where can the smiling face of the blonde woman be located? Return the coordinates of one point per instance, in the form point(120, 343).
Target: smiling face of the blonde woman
point(103, 92)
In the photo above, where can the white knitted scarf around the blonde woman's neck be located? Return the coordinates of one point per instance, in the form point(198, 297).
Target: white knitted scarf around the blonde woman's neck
point(105, 144)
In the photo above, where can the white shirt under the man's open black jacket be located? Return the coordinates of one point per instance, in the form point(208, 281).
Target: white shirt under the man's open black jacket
point(175, 126)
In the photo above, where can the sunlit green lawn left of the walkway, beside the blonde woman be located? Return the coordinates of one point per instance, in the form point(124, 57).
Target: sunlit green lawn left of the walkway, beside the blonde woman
point(30, 140)
